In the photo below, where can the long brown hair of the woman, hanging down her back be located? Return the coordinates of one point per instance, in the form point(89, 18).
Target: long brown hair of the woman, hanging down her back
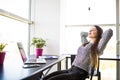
point(94, 48)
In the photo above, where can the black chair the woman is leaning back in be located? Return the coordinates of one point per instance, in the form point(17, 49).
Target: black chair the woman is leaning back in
point(98, 73)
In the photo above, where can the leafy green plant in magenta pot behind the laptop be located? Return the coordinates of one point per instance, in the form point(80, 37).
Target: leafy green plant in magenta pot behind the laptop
point(39, 43)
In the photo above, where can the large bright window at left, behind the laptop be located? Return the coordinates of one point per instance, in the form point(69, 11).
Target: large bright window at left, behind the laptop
point(13, 28)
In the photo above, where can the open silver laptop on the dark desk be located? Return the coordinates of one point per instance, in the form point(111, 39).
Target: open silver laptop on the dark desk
point(29, 60)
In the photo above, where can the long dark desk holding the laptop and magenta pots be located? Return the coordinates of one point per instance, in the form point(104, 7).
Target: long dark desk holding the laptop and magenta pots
point(15, 71)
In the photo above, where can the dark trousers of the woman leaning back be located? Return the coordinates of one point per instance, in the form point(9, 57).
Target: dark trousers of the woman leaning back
point(73, 73)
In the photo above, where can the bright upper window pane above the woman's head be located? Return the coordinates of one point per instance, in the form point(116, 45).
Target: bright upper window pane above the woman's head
point(90, 12)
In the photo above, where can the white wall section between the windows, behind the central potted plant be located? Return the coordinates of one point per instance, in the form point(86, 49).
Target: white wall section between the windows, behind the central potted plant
point(46, 14)
